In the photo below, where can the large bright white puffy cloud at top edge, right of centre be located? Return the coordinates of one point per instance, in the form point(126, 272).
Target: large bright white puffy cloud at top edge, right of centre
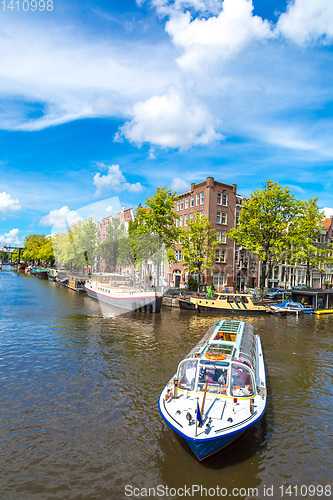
point(218, 37)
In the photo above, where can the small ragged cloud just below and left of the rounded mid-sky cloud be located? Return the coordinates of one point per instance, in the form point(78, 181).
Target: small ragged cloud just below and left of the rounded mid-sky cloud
point(114, 180)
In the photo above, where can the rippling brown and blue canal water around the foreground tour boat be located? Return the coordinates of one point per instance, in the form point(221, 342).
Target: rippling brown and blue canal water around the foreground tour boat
point(79, 403)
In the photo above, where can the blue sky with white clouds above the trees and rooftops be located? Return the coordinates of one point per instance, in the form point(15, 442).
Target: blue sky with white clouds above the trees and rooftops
point(101, 102)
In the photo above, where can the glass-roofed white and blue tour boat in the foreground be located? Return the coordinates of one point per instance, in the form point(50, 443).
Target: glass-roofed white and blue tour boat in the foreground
point(219, 390)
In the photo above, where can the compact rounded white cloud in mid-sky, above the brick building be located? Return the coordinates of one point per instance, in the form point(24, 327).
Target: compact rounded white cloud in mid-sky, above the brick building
point(171, 121)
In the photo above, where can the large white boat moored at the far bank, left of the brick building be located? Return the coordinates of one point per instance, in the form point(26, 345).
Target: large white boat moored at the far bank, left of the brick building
point(117, 290)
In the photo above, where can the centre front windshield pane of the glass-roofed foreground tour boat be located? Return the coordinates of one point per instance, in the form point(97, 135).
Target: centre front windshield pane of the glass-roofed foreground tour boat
point(215, 375)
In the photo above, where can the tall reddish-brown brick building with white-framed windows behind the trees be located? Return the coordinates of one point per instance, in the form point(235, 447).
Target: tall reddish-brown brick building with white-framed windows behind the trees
point(234, 267)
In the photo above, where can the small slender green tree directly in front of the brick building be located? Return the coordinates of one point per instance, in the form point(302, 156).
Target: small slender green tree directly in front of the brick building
point(198, 242)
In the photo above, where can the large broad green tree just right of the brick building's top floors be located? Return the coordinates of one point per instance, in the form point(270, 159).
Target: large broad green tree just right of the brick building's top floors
point(263, 225)
